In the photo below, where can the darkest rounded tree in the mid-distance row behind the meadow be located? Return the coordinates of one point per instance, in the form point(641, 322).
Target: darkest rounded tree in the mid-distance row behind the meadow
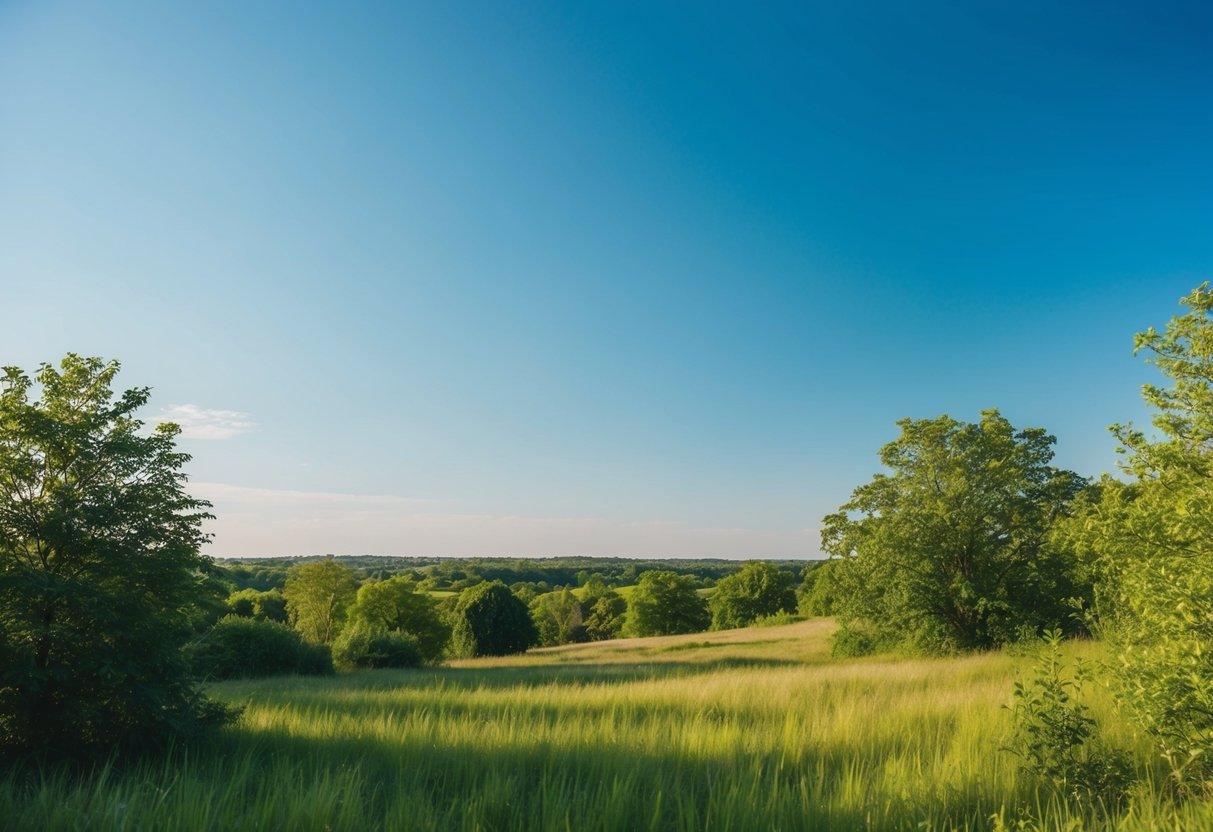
point(492, 622)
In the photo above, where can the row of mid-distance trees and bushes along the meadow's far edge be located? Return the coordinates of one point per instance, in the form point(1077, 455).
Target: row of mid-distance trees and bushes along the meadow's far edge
point(395, 623)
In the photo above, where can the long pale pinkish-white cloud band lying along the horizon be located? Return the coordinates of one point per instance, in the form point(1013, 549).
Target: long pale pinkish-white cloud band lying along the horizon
point(269, 522)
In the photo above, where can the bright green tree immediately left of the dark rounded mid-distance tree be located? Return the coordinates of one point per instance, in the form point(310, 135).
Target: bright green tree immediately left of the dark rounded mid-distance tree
point(396, 607)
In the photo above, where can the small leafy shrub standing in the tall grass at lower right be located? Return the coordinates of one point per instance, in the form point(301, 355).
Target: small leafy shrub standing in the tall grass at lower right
point(1055, 736)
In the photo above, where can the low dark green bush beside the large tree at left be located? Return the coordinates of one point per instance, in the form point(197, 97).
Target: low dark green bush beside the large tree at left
point(244, 648)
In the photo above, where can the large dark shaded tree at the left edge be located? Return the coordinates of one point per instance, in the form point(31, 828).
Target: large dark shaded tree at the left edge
point(100, 566)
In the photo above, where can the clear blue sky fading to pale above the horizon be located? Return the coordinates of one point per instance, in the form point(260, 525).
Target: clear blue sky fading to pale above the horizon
point(611, 278)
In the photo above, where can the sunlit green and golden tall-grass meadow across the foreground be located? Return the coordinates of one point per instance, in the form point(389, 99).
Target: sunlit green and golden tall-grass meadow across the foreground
point(755, 730)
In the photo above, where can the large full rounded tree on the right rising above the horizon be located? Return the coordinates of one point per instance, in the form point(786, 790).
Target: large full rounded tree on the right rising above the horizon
point(952, 549)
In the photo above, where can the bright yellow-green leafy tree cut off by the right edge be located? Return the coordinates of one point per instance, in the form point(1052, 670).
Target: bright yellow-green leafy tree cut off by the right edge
point(1152, 542)
